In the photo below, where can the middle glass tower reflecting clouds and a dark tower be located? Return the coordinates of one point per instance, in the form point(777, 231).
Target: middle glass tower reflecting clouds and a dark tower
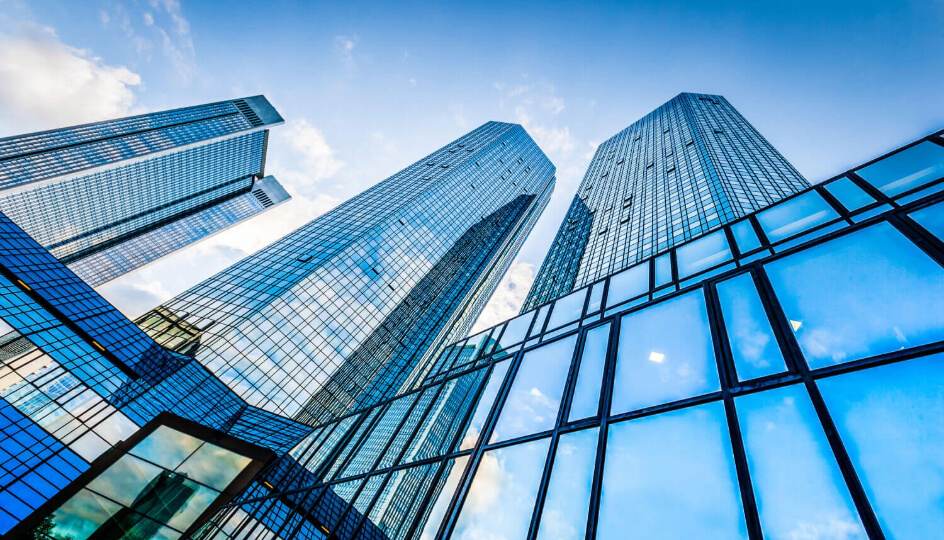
point(343, 310)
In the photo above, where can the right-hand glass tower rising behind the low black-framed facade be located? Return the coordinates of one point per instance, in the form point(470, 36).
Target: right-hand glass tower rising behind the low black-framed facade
point(682, 170)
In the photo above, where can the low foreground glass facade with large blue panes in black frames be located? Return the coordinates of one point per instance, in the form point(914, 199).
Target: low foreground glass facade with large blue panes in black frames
point(777, 377)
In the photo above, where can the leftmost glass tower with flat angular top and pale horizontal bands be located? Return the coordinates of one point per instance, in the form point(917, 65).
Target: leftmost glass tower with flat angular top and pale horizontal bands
point(111, 196)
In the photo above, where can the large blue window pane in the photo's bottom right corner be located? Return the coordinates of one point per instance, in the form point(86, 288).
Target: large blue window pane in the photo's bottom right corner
point(889, 418)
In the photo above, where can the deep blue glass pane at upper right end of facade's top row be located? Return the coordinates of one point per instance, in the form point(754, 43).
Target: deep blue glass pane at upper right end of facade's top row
point(907, 169)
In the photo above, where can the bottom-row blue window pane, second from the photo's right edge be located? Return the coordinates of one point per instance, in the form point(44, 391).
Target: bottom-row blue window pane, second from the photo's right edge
point(799, 490)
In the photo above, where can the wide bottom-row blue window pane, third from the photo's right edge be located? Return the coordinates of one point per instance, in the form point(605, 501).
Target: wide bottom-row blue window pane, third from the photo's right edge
point(671, 475)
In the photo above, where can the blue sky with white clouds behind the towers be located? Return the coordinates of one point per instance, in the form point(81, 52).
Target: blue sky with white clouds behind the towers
point(368, 88)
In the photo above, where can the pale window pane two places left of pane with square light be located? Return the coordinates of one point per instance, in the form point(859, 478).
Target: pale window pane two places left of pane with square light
point(535, 395)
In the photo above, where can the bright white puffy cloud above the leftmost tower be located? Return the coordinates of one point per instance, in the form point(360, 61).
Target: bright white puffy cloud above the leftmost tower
point(57, 85)
